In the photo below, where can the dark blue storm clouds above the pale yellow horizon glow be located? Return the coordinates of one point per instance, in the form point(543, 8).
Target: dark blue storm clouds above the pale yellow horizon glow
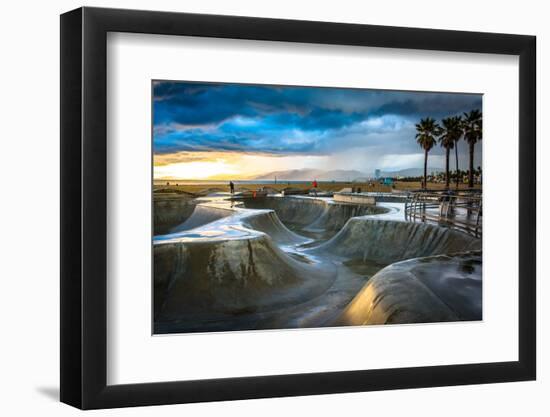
point(293, 120)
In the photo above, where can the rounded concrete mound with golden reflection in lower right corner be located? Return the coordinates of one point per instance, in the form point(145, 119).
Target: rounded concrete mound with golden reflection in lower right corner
point(424, 290)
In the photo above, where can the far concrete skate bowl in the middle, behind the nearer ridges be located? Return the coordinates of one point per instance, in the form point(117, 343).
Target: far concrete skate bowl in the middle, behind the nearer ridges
point(316, 218)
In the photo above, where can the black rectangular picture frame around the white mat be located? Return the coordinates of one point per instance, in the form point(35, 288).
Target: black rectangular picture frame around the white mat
point(84, 207)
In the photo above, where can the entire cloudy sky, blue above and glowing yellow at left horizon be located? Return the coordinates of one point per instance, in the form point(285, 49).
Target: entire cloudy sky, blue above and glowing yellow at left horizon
point(222, 131)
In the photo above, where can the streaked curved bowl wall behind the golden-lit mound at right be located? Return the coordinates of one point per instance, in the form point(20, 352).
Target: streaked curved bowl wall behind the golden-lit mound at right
point(389, 241)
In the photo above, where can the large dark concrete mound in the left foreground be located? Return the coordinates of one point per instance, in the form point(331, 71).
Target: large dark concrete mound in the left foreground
point(235, 277)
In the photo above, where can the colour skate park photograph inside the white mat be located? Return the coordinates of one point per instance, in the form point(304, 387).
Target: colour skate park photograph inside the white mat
point(284, 207)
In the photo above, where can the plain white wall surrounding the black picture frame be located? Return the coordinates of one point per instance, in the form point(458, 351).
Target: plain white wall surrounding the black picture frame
point(29, 266)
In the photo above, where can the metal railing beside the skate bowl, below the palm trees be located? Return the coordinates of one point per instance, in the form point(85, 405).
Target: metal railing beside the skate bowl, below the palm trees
point(461, 210)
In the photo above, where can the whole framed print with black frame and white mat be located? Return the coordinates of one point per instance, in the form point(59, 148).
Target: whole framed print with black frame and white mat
point(258, 207)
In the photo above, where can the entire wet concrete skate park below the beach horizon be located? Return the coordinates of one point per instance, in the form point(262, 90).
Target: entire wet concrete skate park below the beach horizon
point(272, 261)
